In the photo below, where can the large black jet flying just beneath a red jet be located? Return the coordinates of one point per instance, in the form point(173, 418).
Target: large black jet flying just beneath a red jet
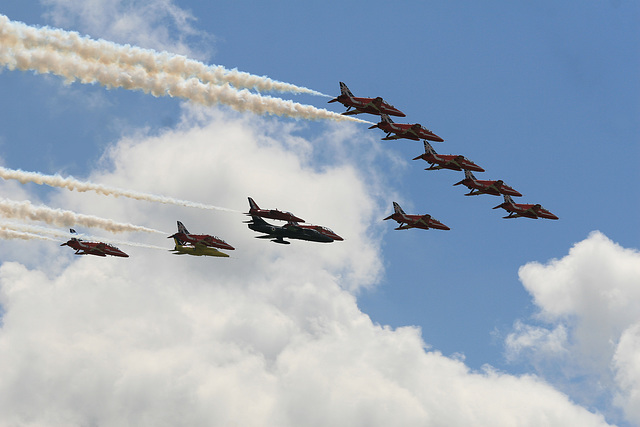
point(291, 230)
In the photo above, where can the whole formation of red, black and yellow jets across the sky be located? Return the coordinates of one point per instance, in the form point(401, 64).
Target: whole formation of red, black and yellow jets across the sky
point(295, 227)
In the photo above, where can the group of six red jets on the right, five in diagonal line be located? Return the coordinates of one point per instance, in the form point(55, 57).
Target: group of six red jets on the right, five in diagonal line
point(416, 132)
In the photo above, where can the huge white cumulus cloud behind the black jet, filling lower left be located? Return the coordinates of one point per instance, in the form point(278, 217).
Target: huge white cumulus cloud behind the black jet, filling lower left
point(271, 336)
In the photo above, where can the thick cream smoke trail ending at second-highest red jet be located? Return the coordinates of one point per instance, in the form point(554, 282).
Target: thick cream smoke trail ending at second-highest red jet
point(73, 68)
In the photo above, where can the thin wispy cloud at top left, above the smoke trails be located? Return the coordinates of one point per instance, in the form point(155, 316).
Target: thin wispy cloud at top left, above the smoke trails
point(155, 24)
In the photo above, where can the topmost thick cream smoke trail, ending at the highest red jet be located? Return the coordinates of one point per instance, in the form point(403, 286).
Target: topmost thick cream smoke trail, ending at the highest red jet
point(13, 32)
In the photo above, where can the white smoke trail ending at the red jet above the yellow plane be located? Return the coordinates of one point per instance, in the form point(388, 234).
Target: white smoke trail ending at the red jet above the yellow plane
point(64, 218)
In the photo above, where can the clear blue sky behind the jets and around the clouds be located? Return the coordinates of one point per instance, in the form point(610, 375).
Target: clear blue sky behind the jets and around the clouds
point(544, 96)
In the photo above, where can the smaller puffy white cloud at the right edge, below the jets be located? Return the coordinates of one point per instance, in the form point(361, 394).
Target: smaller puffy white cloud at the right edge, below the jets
point(589, 315)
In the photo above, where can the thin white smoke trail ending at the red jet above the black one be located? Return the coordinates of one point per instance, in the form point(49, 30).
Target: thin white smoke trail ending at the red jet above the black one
point(71, 183)
